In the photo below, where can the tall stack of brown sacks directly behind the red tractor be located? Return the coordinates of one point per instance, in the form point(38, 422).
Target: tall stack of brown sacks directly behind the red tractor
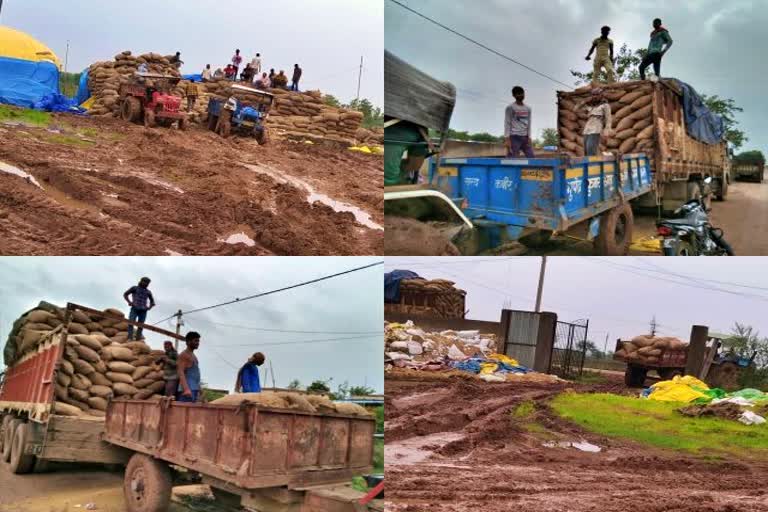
point(105, 78)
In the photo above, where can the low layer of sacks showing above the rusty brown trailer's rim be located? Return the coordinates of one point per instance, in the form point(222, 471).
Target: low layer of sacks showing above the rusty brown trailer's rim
point(295, 401)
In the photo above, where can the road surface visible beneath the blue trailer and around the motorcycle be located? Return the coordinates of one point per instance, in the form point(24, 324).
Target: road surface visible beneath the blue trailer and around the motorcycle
point(743, 217)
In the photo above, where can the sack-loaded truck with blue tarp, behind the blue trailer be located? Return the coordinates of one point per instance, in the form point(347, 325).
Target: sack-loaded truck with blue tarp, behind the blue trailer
point(679, 163)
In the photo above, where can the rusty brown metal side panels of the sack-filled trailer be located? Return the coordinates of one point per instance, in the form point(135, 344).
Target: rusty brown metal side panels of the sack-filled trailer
point(251, 447)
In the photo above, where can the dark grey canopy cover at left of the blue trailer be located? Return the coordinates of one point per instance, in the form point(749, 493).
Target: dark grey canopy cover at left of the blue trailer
point(411, 95)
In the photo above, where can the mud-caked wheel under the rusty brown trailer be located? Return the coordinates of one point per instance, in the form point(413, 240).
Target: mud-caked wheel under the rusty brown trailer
point(147, 484)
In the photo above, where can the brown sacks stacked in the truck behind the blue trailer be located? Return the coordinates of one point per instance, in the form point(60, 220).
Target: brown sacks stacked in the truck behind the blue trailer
point(632, 109)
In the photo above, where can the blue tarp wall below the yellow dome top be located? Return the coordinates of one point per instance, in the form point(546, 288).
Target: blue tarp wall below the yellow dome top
point(22, 82)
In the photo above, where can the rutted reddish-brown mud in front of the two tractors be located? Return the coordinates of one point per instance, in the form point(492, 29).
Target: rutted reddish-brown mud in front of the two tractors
point(113, 188)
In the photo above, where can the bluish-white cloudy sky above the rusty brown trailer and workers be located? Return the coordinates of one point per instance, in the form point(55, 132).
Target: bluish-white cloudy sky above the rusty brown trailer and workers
point(347, 304)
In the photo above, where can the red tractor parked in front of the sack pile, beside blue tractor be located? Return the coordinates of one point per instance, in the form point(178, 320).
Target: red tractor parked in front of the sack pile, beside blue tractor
point(149, 98)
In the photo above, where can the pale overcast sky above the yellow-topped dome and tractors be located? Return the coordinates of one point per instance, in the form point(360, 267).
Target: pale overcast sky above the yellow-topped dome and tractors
point(325, 37)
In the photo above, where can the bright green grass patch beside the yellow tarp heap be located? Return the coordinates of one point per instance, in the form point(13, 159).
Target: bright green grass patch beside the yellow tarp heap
point(658, 424)
